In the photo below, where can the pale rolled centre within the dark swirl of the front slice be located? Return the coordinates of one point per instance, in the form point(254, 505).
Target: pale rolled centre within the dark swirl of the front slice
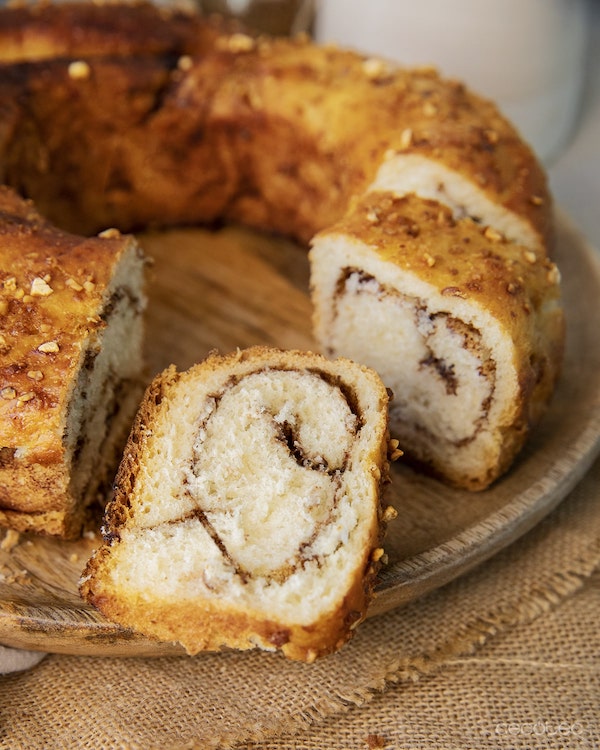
point(307, 452)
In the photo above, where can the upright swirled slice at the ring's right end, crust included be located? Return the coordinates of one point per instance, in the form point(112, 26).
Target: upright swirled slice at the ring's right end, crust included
point(463, 325)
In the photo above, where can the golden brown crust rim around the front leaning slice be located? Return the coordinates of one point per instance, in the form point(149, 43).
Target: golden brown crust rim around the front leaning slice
point(205, 624)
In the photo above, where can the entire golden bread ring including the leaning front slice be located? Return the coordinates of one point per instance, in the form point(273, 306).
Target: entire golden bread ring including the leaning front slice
point(431, 227)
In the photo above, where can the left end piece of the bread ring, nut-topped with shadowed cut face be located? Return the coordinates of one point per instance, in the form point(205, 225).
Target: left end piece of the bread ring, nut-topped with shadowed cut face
point(70, 366)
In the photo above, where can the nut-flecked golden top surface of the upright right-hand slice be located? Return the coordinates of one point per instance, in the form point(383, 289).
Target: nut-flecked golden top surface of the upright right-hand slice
point(475, 263)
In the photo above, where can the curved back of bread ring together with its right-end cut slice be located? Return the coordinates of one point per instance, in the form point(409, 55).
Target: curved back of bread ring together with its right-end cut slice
point(433, 220)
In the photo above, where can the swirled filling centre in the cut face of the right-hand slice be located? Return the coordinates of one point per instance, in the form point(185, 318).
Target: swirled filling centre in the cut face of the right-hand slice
point(446, 384)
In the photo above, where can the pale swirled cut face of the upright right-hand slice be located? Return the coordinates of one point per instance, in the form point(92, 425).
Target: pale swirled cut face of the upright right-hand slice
point(446, 360)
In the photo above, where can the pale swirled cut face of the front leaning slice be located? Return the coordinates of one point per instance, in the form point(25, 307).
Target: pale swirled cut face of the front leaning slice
point(254, 491)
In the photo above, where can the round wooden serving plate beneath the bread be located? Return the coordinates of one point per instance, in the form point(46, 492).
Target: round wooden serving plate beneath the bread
point(234, 288)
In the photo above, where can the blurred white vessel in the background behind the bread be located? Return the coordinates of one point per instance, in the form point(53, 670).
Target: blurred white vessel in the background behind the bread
point(527, 55)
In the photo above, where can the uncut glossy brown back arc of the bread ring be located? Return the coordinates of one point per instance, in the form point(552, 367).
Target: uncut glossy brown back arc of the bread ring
point(294, 130)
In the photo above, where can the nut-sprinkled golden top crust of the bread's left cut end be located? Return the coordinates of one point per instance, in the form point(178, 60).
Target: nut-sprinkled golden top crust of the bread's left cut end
point(51, 292)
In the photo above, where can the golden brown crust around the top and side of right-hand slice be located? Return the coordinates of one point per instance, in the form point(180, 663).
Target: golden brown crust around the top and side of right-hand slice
point(517, 286)
